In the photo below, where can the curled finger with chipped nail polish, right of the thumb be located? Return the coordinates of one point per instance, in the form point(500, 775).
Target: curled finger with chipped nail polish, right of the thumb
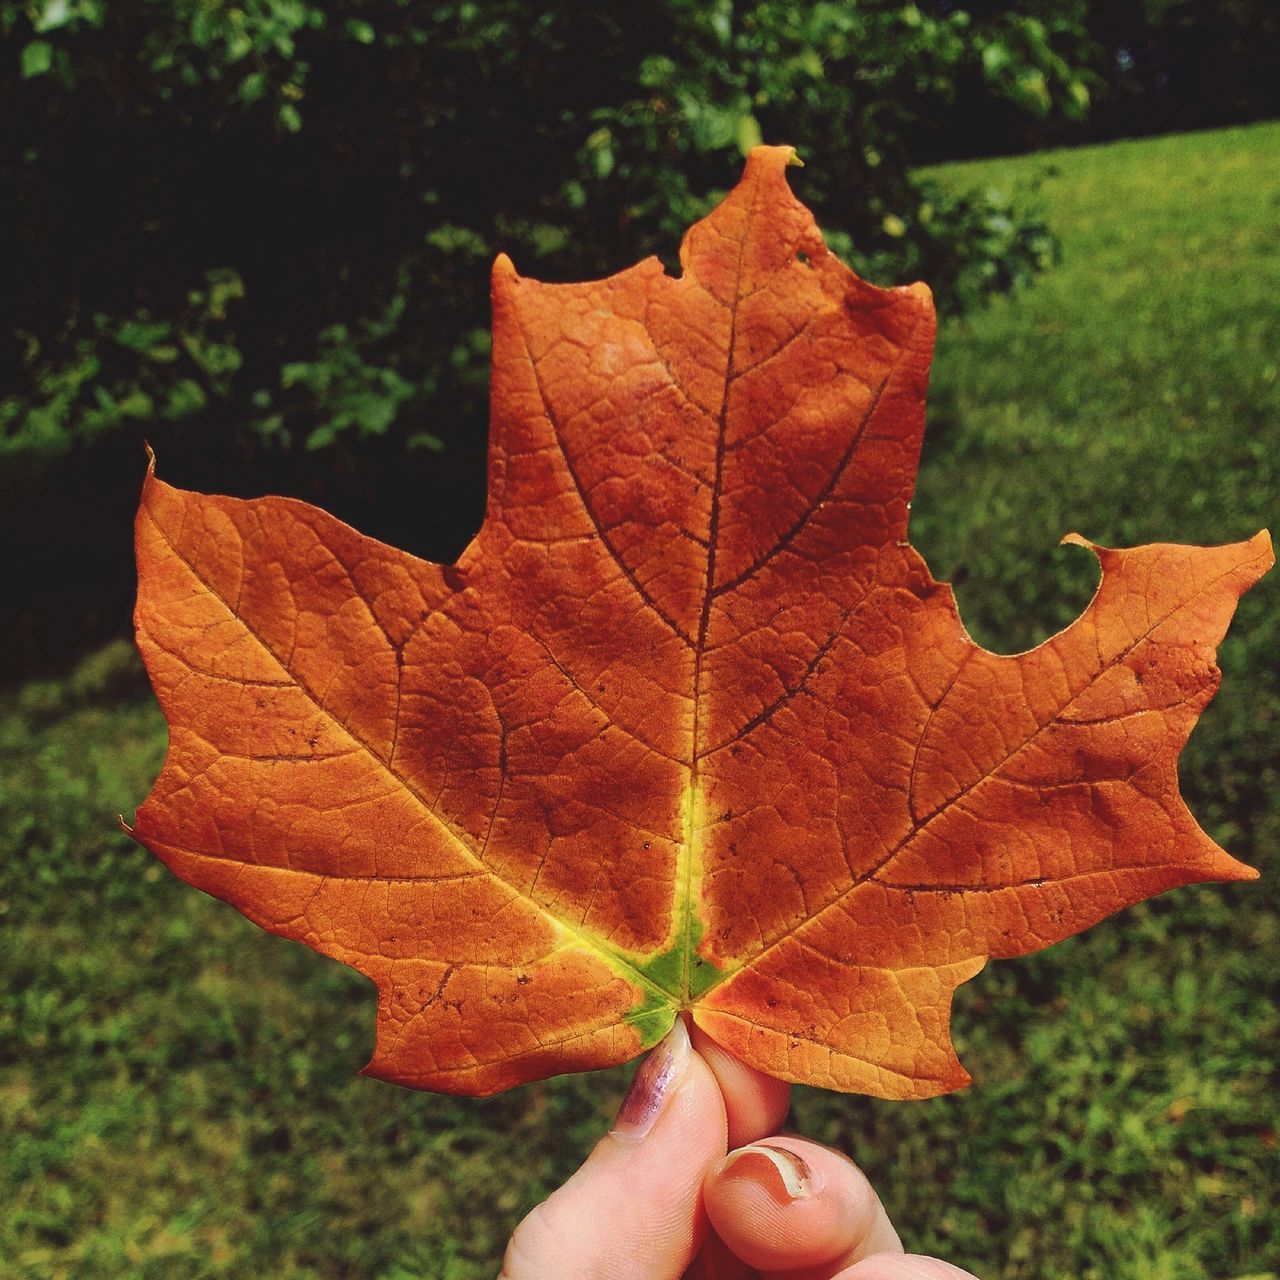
point(794, 1208)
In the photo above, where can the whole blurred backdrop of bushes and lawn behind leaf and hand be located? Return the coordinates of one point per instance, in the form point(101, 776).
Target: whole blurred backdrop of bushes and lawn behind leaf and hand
point(258, 236)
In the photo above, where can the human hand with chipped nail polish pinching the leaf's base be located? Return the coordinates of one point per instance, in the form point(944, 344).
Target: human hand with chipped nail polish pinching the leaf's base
point(696, 1145)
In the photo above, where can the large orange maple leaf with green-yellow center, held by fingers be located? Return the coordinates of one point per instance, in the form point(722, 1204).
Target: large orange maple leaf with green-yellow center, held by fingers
point(689, 726)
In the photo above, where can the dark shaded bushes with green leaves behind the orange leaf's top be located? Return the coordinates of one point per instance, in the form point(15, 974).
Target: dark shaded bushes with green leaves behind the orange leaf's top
point(342, 176)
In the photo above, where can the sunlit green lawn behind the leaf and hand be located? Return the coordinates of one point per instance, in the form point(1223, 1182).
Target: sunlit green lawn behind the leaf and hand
point(177, 1090)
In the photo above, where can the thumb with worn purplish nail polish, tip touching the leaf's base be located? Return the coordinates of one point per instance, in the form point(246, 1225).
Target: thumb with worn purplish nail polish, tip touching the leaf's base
point(634, 1210)
